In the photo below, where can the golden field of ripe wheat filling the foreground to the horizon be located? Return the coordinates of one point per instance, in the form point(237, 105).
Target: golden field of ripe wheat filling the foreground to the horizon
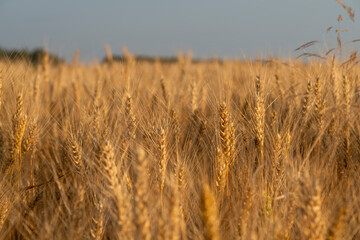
point(182, 150)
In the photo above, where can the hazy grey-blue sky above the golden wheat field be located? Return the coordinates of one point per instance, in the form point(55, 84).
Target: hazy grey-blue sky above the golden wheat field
point(227, 29)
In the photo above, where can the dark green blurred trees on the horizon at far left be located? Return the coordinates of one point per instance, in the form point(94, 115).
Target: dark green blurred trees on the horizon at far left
point(35, 56)
